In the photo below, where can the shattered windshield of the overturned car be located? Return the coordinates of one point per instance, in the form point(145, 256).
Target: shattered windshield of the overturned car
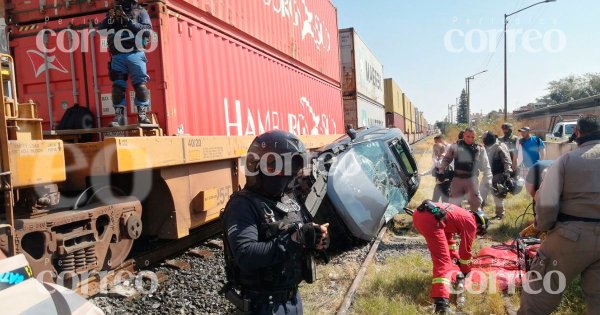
point(375, 161)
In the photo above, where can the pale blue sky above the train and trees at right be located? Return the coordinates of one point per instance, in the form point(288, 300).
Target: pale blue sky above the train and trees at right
point(424, 46)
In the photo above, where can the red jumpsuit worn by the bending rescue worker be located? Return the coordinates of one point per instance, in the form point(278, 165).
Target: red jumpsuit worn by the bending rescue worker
point(442, 247)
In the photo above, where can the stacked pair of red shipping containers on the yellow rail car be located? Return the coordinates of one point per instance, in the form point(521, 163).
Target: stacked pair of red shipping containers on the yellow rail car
point(216, 67)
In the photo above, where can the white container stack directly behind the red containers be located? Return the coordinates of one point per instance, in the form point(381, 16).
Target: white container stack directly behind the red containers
point(362, 82)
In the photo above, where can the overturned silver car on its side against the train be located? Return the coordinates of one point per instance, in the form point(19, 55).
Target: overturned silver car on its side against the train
point(360, 182)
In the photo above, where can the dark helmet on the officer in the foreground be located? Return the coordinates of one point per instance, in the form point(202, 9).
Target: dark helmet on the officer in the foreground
point(274, 151)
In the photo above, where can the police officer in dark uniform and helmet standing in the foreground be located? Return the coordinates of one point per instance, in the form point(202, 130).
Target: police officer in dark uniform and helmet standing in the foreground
point(269, 239)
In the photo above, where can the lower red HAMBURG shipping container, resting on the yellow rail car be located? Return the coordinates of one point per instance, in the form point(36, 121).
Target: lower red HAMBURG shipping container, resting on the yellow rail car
point(202, 82)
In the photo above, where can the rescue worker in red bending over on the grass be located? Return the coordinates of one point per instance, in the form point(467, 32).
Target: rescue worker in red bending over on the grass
point(438, 223)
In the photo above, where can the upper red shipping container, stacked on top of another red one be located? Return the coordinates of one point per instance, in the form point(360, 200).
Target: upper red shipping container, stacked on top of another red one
point(304, 31)
